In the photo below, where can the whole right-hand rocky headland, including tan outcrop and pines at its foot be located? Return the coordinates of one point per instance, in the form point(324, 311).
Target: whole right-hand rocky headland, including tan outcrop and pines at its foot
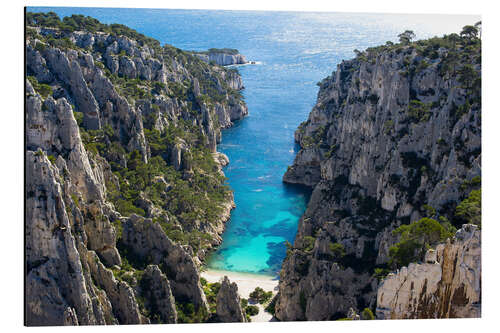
point(392, 150)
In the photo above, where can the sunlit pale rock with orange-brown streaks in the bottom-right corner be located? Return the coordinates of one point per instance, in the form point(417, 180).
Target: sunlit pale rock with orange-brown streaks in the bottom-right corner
point(446, 285)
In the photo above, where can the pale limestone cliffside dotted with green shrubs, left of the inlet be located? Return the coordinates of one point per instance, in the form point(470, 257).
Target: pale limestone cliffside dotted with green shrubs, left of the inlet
point(124, 188)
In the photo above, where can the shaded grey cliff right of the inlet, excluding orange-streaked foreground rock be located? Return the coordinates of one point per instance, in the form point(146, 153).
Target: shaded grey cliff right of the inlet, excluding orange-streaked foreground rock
point(395, 131)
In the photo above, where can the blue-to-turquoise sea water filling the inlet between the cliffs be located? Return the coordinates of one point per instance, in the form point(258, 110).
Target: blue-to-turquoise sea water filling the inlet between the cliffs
point(294, 51)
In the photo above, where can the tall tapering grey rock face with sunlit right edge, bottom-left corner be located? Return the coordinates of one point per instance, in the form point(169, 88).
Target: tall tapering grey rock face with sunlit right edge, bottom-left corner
point(56, 293)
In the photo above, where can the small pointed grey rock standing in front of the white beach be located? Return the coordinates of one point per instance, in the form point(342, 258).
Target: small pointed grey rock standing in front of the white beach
point(228, 303)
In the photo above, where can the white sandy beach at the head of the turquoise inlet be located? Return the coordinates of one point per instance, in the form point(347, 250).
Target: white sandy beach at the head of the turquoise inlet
point(247, 282)
